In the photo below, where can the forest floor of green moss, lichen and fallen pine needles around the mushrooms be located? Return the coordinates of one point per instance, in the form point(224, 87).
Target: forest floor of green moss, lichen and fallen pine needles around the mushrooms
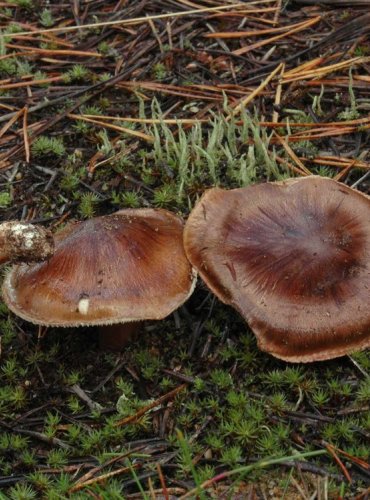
point(113, 104)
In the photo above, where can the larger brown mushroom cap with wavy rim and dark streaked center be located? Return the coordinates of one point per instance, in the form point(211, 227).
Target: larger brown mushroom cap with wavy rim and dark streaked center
point(293, 258)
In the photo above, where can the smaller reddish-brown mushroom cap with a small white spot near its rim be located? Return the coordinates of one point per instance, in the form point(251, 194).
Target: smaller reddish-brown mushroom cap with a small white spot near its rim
point(128, 266)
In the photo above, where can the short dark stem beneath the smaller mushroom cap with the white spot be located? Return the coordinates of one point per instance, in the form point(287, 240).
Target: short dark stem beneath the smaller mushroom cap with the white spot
point(116, 337)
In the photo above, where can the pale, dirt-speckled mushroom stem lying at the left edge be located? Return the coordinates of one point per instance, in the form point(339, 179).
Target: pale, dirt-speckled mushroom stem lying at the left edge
point(23, 242)
